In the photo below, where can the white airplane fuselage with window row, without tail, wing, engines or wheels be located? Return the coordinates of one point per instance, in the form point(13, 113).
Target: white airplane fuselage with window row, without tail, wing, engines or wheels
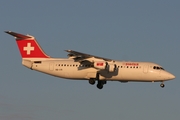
point(126, 71)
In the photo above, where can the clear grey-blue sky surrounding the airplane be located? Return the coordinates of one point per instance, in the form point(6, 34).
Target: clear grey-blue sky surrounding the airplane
point(140, 30)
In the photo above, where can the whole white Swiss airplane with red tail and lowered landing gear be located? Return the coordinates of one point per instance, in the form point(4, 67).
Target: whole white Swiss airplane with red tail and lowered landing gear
point(82, 66)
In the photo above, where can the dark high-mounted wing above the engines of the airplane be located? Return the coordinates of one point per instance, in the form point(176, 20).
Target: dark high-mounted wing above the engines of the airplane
point(79, 56)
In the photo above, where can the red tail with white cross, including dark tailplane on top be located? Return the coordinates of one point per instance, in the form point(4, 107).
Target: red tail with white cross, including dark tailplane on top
point(28, 46)
